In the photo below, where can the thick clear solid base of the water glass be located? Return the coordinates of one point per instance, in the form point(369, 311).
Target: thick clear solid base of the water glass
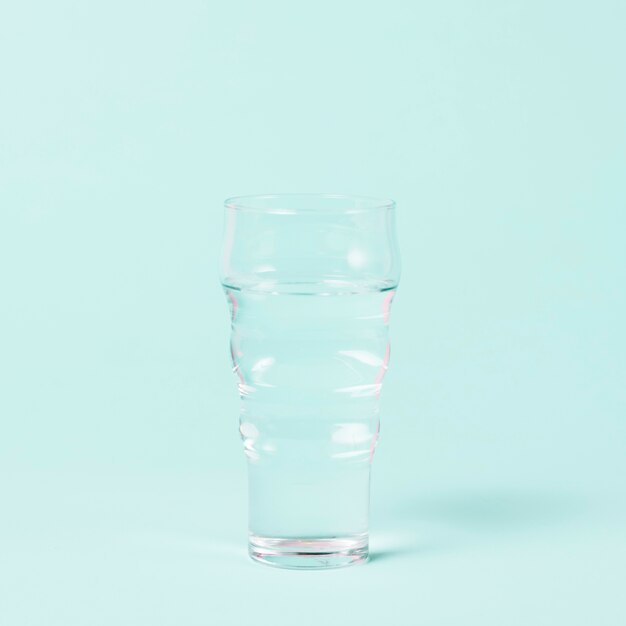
point(309, 553)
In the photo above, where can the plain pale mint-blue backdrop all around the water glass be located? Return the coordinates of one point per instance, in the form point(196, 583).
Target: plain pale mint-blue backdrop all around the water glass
point(499, 128)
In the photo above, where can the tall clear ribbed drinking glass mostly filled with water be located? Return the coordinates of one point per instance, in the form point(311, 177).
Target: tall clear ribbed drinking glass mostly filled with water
point(309, 280)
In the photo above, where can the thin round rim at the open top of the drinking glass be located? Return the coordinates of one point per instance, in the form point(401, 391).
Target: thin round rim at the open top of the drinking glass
point(261, 203)
